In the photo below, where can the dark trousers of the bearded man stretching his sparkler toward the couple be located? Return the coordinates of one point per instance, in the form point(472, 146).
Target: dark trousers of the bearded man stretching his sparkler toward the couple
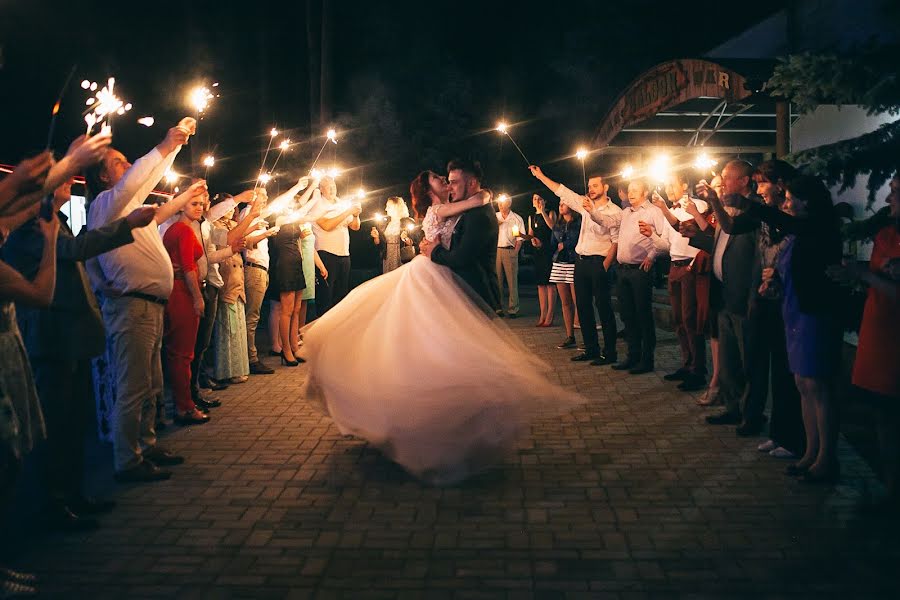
point(593, 288)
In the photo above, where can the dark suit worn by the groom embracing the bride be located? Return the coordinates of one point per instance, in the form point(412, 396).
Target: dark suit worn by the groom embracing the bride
point(473, 253)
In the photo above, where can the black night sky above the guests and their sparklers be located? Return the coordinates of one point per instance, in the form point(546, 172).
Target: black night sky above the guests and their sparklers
point(414, 83)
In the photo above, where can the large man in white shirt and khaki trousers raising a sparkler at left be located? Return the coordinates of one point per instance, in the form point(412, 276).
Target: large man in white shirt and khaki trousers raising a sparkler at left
point(137, 280)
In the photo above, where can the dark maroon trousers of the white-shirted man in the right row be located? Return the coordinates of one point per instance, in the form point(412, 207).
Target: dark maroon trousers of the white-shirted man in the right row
point(683, 295)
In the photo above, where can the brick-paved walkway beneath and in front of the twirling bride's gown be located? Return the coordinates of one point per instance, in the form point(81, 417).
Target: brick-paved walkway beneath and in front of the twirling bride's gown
point(630, 496)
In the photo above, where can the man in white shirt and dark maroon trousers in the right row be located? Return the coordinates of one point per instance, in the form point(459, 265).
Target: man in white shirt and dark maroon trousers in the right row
point(688, 287)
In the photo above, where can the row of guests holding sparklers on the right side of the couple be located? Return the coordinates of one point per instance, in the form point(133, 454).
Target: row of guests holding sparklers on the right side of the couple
point(756, 267)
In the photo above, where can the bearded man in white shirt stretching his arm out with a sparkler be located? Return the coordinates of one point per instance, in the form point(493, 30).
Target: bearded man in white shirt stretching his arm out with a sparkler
point(596, 250)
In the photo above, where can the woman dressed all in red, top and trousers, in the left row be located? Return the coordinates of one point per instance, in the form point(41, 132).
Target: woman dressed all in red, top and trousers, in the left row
point(184, 310)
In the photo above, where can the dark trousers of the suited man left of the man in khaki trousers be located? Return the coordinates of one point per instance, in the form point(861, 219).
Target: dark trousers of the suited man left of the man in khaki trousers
point(67, 398)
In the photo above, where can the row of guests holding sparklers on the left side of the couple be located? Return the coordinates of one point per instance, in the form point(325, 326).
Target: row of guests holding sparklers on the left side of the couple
point(147, 292)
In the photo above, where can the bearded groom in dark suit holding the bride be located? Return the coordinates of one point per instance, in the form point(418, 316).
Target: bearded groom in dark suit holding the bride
point(473, 249)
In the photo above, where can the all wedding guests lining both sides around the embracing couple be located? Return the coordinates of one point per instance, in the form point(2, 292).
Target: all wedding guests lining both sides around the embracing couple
point(754, 266)
